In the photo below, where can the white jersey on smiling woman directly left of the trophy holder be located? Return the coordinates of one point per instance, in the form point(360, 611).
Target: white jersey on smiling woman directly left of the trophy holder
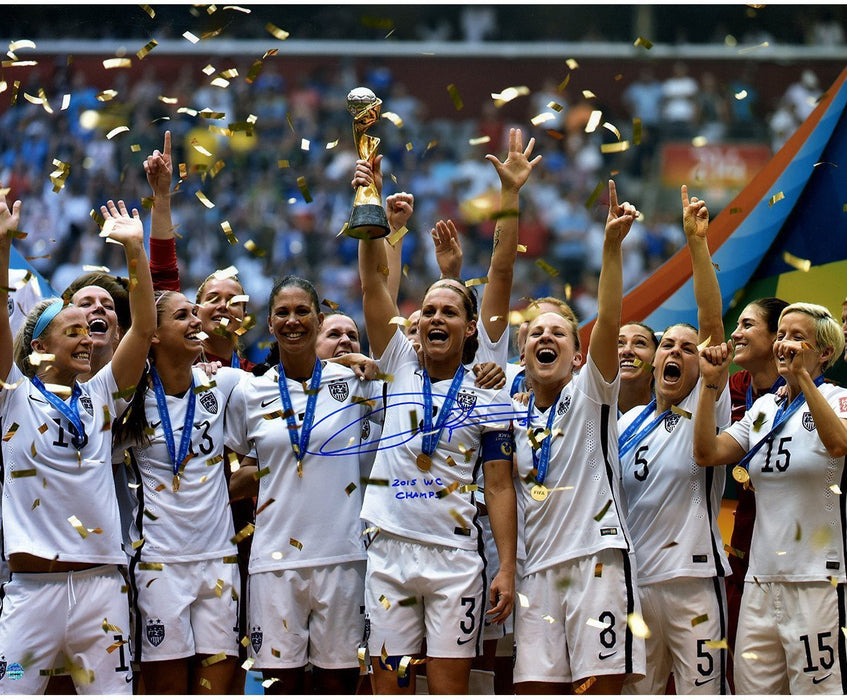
point(313, 519)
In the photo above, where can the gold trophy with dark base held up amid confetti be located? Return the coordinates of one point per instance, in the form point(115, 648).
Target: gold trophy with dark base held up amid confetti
point(368, 219)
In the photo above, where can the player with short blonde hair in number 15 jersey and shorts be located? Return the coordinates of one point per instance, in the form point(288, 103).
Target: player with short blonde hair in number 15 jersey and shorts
point(790, 637)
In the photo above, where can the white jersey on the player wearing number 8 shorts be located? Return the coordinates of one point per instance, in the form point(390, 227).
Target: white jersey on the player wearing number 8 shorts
point(580, 514)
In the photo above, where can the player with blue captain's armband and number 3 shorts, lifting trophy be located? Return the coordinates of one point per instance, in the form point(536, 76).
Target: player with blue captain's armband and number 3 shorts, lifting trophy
point(430, 449)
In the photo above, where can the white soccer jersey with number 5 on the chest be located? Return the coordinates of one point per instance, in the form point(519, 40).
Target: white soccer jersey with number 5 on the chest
point(672, 505)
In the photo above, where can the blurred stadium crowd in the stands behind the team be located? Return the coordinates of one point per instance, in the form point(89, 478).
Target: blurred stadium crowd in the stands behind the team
point(279, 179)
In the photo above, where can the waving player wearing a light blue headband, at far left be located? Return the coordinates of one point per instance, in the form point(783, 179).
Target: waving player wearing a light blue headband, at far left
point(66, 604)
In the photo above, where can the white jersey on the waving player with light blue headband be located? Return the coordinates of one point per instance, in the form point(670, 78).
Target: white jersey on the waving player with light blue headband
point(59, 502)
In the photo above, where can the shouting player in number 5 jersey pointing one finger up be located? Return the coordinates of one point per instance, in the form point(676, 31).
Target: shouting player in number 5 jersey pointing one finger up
point(672, 505)
